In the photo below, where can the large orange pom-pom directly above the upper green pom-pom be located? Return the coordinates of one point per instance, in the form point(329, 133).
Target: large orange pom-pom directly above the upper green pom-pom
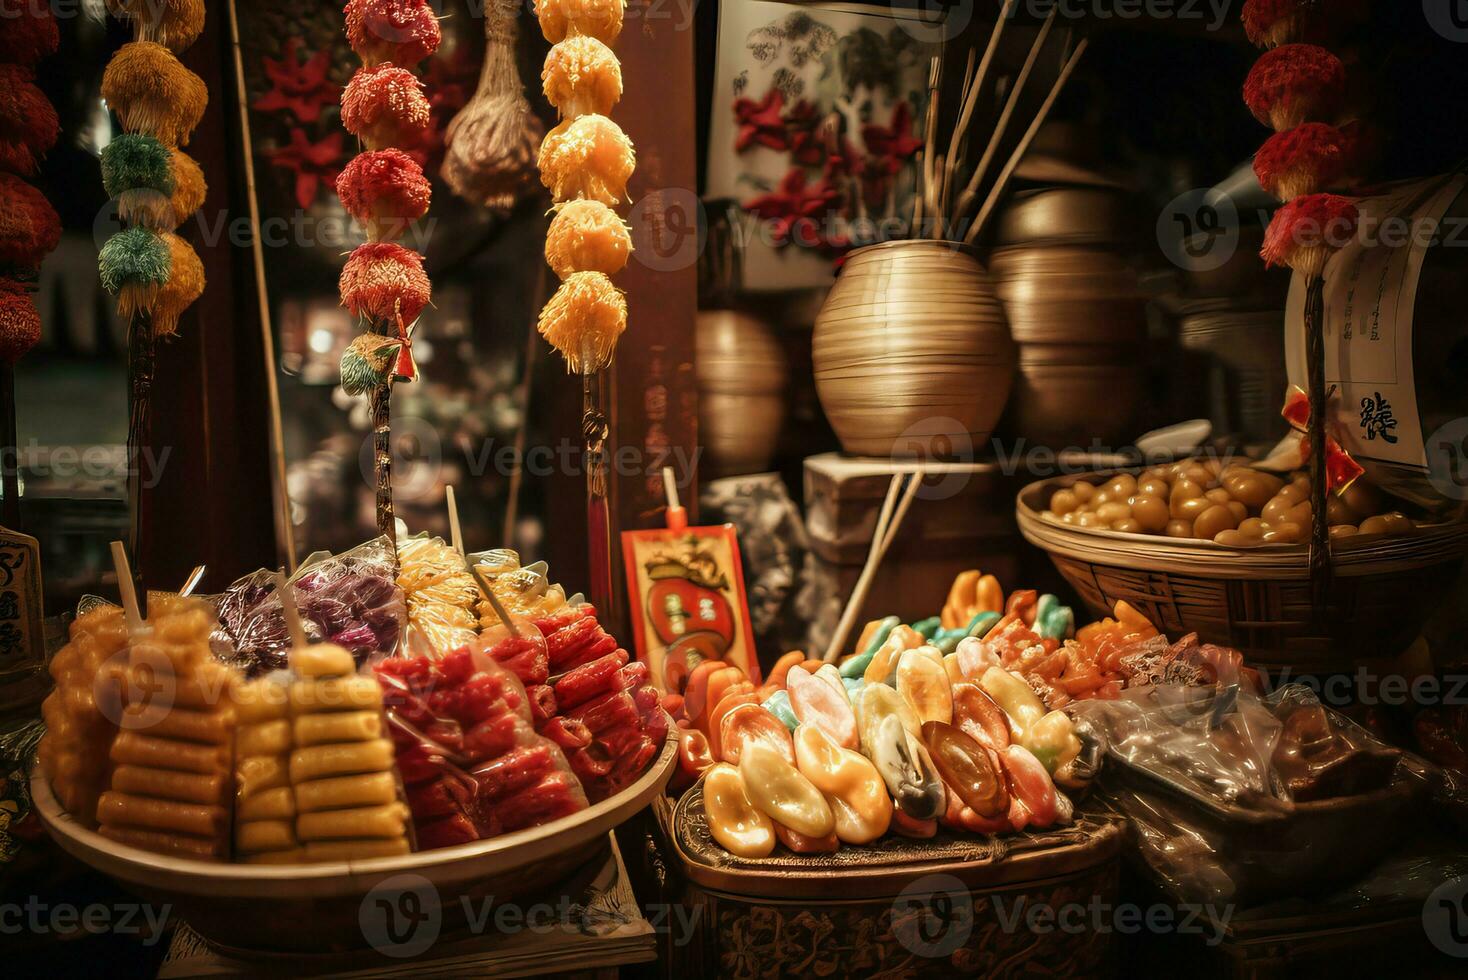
point(153, 93)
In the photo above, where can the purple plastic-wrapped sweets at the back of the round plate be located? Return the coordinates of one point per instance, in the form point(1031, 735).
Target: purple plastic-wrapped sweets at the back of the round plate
point(352, 601)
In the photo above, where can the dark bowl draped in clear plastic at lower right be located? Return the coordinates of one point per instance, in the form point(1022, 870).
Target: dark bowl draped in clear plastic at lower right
point(1232, 797)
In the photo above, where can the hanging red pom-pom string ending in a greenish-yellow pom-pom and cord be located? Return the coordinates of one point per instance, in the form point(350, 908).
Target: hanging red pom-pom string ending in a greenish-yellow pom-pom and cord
point(384, 189)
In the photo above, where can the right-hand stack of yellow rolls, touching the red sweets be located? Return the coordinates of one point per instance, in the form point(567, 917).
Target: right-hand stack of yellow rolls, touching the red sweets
point(341, 765)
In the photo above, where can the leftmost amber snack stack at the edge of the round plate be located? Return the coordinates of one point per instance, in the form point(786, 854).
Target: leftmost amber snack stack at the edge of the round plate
point(81, 714)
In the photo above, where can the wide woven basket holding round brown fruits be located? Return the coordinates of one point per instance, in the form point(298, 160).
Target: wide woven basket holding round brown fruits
point(1257, 599)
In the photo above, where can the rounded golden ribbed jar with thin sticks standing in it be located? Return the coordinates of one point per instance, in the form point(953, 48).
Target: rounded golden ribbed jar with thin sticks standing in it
point(912, 353)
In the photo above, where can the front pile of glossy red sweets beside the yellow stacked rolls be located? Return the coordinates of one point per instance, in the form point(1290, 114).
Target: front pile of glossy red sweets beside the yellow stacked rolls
point(469, 753)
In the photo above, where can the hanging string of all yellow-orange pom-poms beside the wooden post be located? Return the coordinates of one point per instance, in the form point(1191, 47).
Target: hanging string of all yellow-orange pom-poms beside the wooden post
point(585, 164)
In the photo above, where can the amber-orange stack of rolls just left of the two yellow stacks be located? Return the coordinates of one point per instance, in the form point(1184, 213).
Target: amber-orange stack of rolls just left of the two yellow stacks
point(172, 758)
